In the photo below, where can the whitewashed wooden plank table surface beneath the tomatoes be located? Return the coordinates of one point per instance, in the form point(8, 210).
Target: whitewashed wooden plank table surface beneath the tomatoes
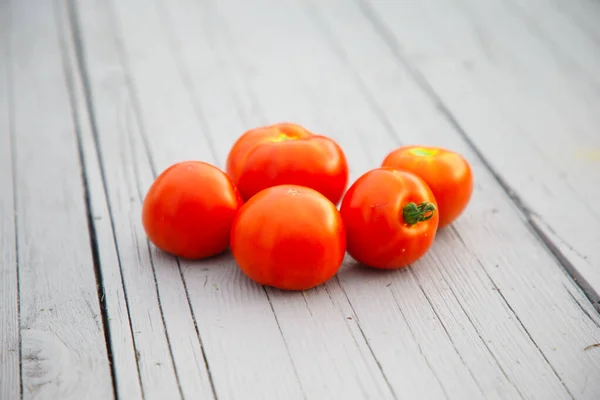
point(98, 96)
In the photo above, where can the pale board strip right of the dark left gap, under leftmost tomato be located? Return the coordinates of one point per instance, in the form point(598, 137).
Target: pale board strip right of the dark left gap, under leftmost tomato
point(159, 313)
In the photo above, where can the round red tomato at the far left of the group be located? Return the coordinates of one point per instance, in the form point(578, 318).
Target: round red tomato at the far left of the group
point(189, 209)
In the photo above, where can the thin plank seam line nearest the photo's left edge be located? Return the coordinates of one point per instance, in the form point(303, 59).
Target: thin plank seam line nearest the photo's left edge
point(13, 162)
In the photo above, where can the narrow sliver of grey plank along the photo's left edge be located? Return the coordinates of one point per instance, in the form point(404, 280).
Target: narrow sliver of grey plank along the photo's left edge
point(10, 372)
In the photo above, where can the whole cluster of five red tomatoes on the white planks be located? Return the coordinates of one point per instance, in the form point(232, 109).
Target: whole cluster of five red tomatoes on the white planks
point(276, 206)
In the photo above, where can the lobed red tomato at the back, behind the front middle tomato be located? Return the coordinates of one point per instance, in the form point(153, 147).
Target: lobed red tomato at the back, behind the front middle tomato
point(287, 153)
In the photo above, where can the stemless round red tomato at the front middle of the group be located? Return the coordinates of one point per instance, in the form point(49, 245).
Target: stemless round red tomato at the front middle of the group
point(289, 237)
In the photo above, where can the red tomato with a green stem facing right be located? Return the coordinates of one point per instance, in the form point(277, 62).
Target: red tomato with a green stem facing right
point(390, 218)
